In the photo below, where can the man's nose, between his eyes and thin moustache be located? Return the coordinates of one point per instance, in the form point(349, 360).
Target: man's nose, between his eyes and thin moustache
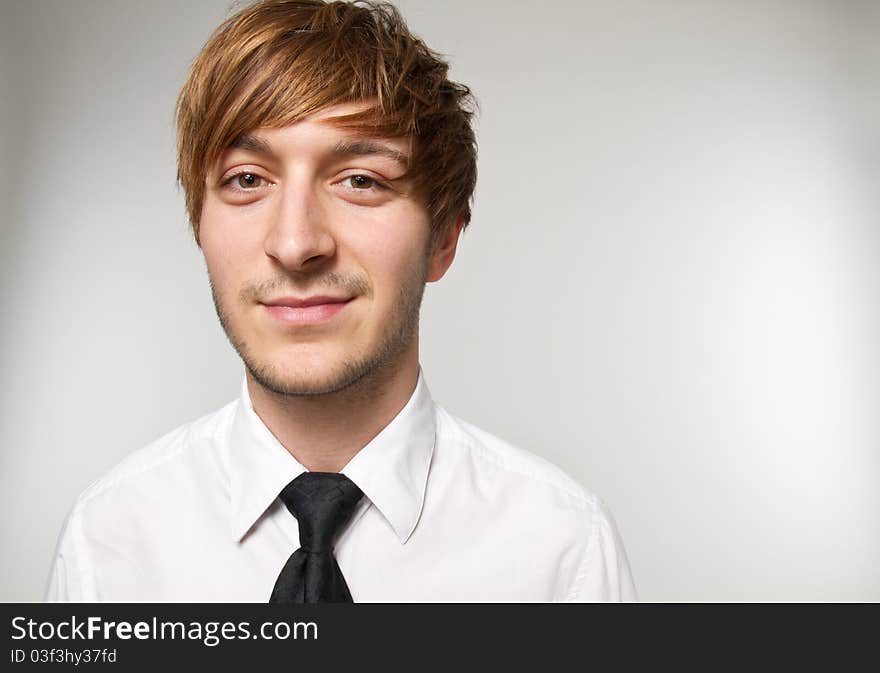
point(299, 238)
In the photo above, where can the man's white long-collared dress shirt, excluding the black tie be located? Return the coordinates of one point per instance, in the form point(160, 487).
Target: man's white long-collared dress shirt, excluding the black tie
point(450, 513)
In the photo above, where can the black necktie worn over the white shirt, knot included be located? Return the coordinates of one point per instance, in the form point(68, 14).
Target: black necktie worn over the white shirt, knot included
point(322, 502)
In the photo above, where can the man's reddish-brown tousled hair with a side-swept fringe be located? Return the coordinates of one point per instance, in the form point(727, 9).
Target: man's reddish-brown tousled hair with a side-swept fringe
point(277, 61)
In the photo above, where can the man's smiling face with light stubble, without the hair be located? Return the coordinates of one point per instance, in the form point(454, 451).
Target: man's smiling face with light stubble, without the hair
point(308, 214)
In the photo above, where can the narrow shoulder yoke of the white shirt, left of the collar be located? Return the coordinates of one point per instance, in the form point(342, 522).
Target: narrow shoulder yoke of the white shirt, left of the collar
point(190, 436)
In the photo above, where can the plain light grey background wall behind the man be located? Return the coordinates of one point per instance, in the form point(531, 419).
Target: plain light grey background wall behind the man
point(670, 287)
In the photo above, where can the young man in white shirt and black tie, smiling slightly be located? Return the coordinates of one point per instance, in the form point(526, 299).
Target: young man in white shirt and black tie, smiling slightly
point(328, 166)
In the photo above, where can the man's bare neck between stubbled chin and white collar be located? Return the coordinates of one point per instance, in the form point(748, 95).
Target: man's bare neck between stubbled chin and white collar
point(324, 432)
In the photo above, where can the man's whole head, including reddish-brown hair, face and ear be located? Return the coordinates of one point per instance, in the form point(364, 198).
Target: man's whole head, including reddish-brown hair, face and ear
point(323, 152)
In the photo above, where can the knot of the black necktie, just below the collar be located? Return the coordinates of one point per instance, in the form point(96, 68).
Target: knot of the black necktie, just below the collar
point(322, 502)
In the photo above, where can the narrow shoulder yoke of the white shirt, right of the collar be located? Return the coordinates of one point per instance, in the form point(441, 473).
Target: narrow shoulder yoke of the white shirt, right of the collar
point(485, 446)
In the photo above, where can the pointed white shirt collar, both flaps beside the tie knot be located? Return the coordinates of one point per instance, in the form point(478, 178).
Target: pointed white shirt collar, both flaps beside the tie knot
point(391, 470)
